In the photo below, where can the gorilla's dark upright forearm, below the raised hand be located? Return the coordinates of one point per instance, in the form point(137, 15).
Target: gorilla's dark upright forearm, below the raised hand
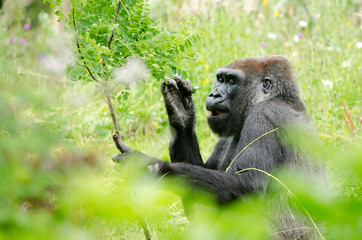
point(185, 147)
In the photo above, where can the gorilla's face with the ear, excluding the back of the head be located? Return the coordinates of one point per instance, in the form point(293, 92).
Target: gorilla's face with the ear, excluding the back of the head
point(238, 87)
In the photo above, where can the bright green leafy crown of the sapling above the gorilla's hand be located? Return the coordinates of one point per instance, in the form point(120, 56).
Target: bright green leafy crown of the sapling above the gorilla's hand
point(133, 33)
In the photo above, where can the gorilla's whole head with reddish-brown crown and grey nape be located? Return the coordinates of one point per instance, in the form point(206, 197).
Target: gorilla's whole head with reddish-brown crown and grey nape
point(243, 84)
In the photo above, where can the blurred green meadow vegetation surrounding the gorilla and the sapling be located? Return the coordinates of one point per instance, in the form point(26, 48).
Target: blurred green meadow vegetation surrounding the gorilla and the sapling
point(57, 180)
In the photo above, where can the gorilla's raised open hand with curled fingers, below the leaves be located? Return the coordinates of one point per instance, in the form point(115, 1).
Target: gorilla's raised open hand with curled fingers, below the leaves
point(179, 103)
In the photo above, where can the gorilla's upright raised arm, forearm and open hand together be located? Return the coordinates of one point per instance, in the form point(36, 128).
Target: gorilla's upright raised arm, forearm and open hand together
point(180, 109)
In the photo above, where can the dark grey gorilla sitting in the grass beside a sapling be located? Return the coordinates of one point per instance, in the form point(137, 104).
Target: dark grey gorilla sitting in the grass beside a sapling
point(253, 102)
